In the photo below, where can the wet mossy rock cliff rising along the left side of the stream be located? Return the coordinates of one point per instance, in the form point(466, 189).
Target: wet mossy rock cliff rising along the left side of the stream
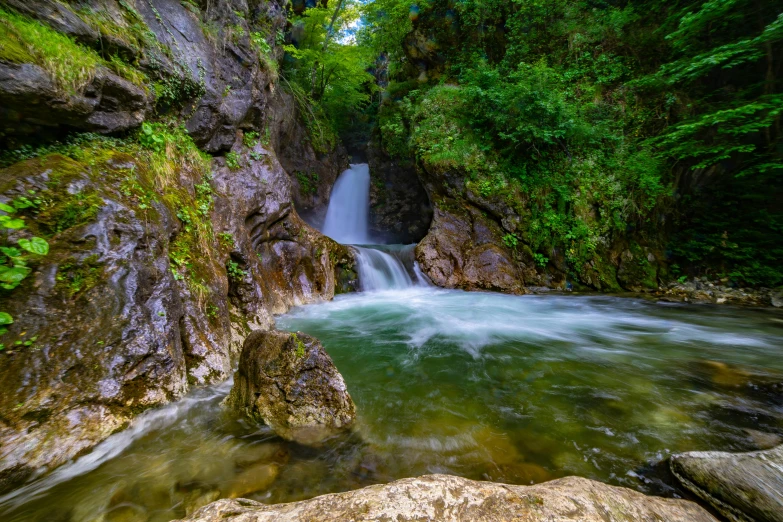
point(162, 258)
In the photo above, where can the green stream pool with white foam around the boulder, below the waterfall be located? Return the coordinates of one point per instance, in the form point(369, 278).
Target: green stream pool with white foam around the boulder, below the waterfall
point(516, 389)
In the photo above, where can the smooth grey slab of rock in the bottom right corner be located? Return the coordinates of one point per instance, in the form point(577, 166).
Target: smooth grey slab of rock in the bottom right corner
point(741, 486)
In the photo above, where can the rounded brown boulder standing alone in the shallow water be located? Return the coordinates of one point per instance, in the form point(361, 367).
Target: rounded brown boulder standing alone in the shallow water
point(289, 382)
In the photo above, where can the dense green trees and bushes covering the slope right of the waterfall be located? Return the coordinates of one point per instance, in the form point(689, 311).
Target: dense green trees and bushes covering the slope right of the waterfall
point(654, 119)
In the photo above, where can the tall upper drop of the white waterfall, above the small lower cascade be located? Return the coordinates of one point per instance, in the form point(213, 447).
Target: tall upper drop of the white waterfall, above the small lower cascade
point(348, 215)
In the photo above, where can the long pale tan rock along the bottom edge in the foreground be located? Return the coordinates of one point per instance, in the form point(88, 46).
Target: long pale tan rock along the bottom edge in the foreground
point(448, 498)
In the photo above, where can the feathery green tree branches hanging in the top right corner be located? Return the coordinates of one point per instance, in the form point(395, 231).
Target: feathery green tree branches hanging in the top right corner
point(737, 117)
